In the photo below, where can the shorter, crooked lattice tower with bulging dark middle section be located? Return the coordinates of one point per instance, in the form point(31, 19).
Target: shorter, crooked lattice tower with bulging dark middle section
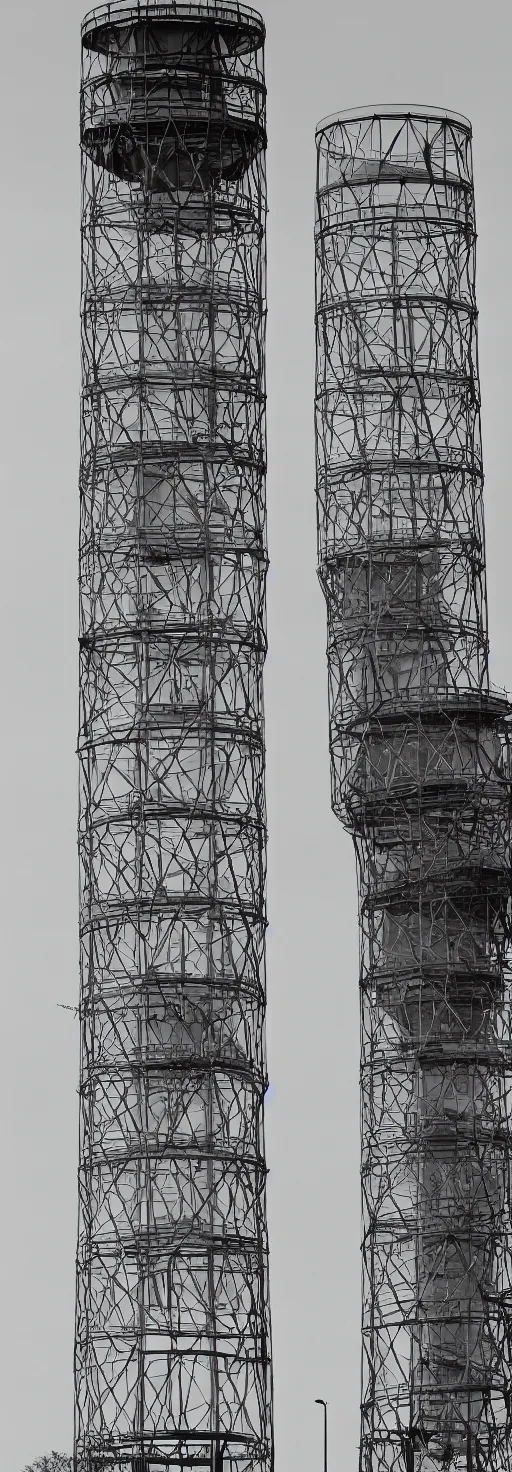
point(422, 779)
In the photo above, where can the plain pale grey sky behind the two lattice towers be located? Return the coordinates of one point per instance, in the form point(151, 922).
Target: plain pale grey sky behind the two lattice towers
point(320, 58)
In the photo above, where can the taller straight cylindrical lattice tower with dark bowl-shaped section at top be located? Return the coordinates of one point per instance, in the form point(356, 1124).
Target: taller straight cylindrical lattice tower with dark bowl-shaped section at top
point(173, 1330)
